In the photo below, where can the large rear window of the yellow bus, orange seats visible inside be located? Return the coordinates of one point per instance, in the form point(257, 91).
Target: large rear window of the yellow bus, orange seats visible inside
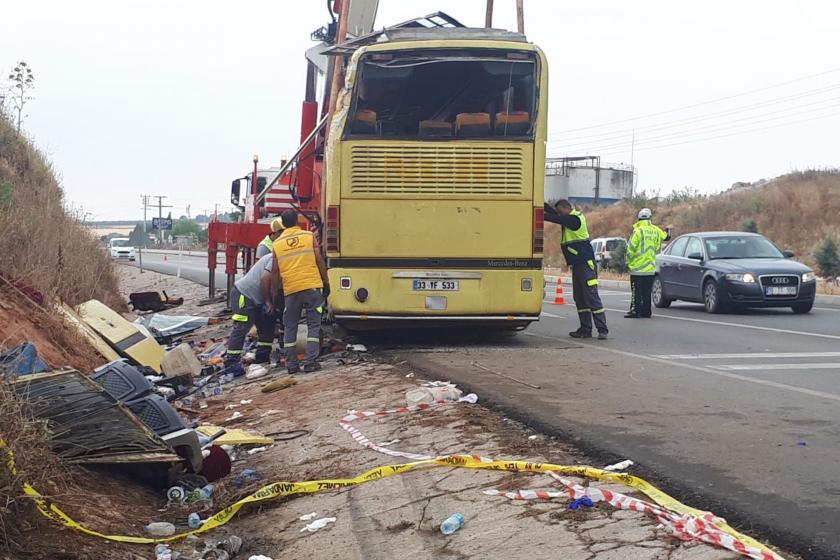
point(445, 94)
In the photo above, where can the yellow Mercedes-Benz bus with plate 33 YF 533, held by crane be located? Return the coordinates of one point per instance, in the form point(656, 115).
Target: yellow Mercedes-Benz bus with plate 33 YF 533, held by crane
point(434, 181)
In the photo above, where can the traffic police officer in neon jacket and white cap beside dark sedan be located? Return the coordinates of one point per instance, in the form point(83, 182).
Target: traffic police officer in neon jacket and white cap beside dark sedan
point(641, 260)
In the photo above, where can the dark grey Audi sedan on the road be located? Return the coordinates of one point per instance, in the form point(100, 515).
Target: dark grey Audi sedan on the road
point(727, 270)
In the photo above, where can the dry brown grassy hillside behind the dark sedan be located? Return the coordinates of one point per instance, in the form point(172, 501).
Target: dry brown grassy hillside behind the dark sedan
point(796, 211)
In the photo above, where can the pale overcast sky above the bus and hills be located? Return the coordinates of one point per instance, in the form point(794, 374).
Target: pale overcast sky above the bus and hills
point(174, 98)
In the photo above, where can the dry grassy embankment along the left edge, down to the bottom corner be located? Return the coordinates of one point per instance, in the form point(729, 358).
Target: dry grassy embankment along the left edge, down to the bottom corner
point(42, 247)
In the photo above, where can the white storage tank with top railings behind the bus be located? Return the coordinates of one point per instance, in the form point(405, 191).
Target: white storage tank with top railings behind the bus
point(585, 180)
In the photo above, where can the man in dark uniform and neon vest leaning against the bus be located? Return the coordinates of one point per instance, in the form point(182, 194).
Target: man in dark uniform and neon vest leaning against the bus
point(579, 255)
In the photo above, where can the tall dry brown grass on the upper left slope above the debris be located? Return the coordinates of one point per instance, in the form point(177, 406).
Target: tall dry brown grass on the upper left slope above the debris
point(42, 244)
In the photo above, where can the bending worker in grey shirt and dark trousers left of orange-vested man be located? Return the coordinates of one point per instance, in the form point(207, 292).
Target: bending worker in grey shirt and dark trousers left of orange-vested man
point(252, 304)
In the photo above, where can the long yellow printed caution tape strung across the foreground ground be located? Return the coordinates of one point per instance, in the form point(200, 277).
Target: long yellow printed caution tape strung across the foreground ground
point(278, 489)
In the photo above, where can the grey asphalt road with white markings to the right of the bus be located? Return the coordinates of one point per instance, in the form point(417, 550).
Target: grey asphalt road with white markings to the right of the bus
point(736, 413)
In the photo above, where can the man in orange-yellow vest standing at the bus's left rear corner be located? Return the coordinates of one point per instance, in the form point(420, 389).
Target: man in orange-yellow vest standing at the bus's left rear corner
point(303, 274)
